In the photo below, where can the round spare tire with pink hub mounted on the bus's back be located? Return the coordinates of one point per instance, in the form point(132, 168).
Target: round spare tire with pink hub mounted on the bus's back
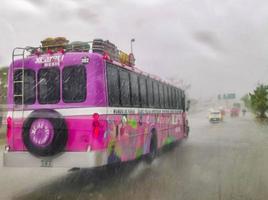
point(45, 133)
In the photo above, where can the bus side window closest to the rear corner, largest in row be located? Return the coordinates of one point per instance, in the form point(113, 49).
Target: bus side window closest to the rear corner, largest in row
point(113, 85)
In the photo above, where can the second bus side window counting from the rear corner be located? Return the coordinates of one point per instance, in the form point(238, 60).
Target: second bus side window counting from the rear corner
point(124, 88)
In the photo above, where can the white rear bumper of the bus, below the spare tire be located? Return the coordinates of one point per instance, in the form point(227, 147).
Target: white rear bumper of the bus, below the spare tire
point(66, 159)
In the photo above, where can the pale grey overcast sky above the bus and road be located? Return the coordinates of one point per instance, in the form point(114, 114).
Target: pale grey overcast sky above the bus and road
point(216, 46)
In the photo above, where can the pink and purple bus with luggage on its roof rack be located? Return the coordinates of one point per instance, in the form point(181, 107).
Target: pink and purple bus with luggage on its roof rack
point(77, 105)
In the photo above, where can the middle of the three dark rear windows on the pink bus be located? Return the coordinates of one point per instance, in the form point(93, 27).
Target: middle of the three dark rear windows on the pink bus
point(49, 86)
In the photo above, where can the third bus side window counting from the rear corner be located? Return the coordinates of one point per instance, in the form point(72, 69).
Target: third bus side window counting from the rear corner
point(134, 85)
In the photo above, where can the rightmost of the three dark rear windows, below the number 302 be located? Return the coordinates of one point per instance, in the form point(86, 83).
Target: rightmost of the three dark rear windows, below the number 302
point(74, 85)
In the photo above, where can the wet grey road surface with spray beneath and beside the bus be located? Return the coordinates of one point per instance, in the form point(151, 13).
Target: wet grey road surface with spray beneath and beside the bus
point(226, 161)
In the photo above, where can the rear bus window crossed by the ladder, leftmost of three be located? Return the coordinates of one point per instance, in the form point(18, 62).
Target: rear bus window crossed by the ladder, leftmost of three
point(28, 92)
